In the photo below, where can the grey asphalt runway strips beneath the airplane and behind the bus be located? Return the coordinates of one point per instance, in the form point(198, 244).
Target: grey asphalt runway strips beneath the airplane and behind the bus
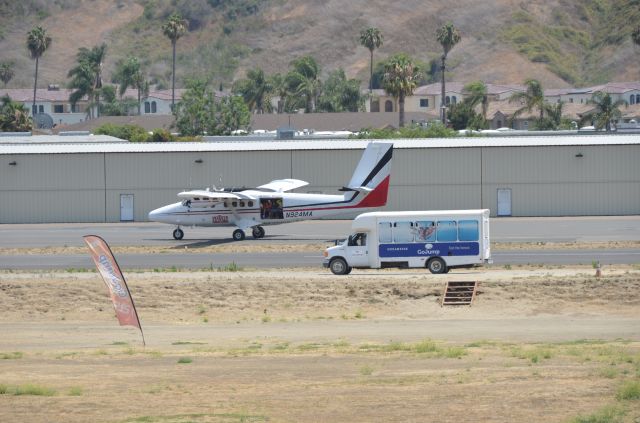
point(564, 229)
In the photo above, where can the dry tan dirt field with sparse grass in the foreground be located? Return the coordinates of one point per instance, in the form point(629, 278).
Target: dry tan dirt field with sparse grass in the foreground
point(538, 345)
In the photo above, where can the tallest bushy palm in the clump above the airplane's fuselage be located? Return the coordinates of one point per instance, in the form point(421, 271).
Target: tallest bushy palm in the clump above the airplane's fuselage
point(303, 82)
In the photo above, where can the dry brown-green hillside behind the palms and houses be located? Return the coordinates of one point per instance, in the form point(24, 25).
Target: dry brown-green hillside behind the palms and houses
point(573, 42)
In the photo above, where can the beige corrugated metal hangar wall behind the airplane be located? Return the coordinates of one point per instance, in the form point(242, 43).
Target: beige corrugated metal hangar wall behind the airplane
point(544, 180)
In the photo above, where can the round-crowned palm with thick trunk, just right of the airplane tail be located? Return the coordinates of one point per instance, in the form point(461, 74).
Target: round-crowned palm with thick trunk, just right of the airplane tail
point(400, 78)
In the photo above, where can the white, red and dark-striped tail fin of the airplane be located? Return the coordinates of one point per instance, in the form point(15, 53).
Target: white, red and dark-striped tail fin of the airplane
point(371, 177)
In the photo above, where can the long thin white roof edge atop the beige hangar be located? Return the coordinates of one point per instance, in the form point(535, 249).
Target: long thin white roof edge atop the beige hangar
point(271, 145)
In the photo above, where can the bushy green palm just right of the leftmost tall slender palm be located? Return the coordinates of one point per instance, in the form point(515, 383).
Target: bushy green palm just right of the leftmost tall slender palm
point(86, 76)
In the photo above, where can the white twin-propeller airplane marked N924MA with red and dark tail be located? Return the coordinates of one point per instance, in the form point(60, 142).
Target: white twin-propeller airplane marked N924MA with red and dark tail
point(271, 204)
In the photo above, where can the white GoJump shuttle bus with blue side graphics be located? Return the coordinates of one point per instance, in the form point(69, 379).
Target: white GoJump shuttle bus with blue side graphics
point(437, 240)
